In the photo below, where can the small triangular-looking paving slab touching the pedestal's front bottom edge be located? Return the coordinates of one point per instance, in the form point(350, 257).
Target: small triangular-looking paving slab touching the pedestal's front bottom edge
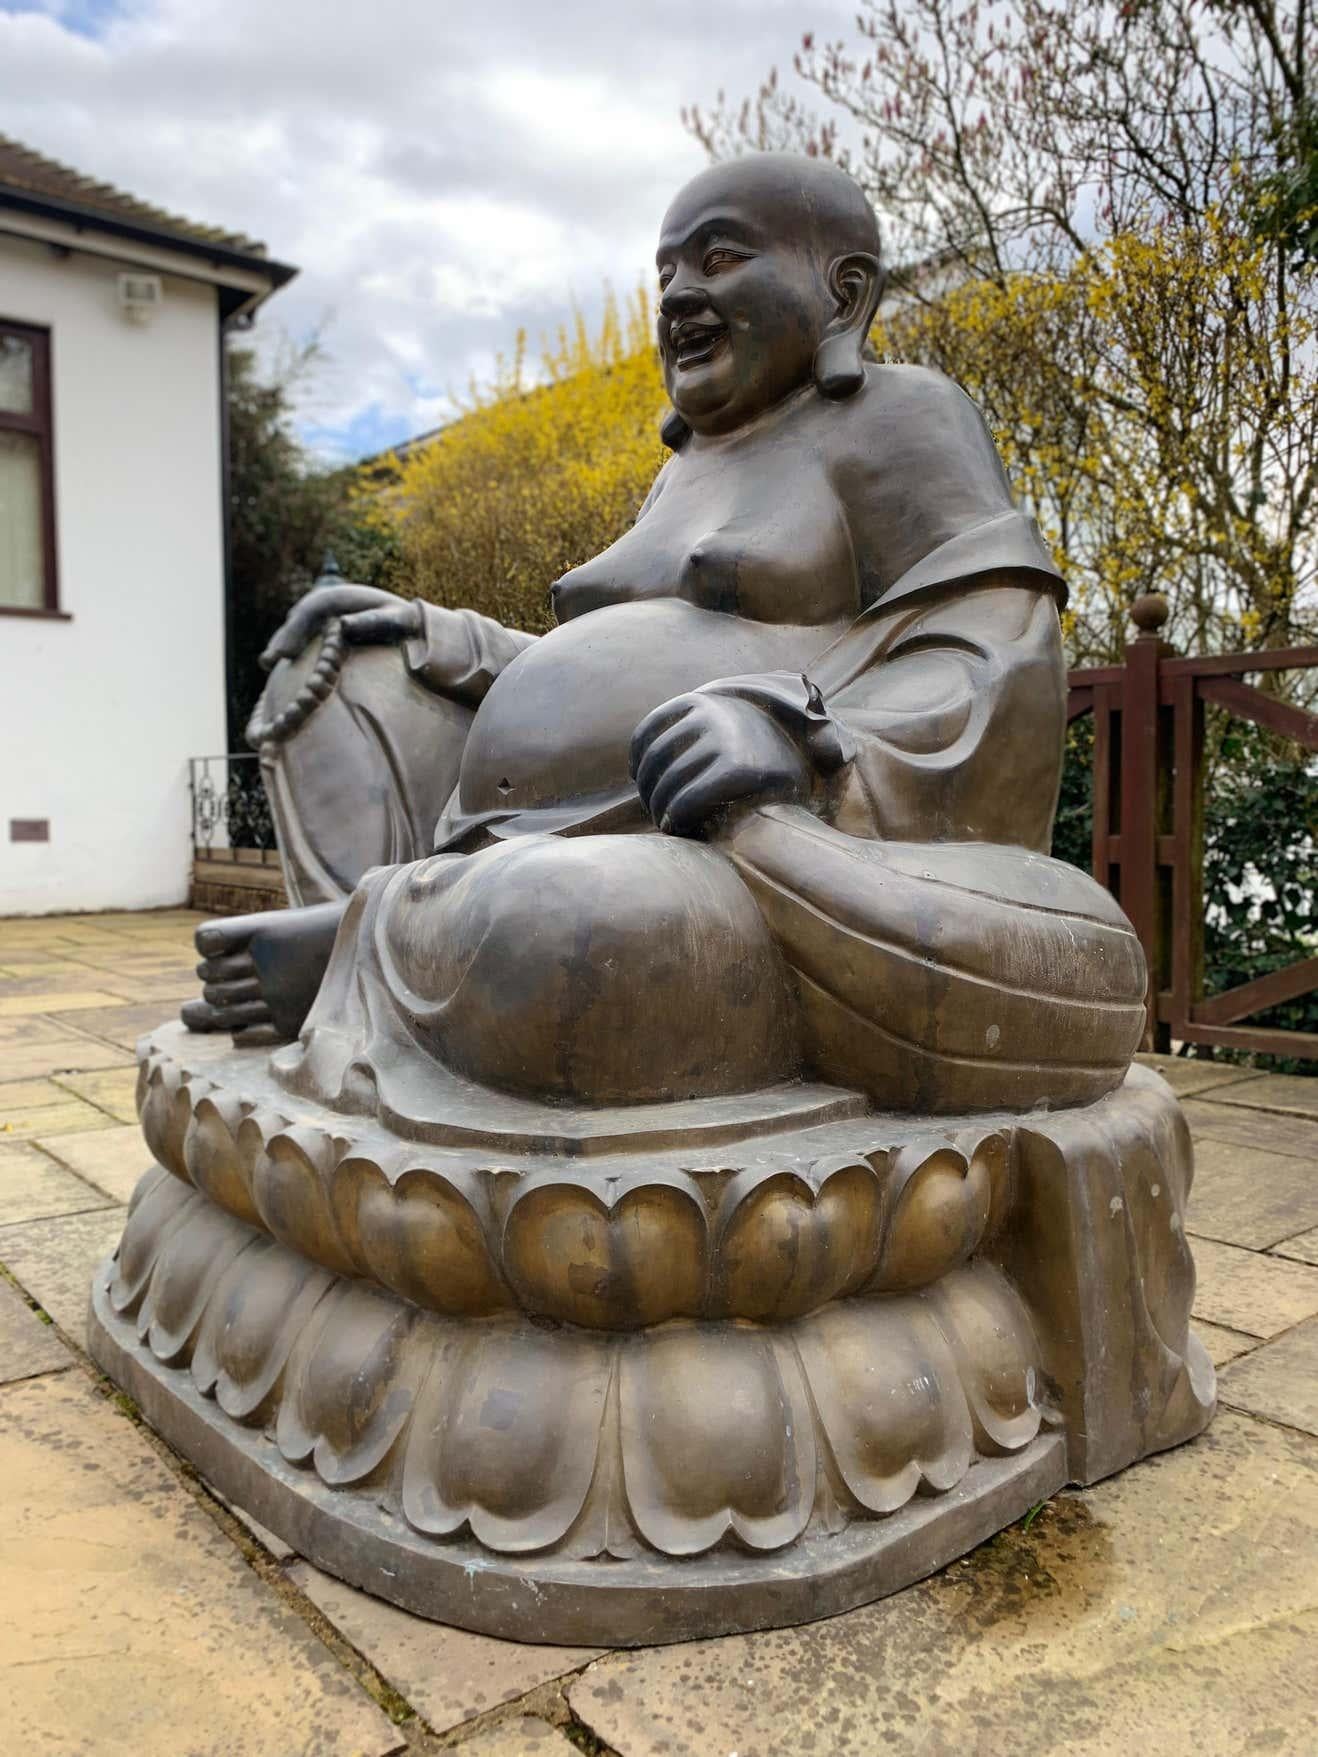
point(447, 1674)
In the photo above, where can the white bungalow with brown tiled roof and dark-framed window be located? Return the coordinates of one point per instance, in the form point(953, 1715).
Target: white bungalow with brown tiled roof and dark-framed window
point(112, 531)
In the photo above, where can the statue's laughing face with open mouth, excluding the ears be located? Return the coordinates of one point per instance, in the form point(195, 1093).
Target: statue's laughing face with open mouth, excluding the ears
point(744, 300)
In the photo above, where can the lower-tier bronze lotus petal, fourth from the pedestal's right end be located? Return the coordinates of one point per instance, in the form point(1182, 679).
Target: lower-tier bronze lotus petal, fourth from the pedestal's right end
point(507, 1433)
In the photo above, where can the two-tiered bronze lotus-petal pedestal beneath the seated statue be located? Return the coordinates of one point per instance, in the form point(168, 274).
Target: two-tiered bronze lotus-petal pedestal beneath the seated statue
point(667, 1377)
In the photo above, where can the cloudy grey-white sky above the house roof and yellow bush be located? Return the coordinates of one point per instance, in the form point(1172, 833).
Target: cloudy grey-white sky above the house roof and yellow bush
point(442, 171)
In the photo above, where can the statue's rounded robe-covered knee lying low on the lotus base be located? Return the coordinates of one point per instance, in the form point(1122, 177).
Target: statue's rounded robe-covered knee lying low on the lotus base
point(605, 971)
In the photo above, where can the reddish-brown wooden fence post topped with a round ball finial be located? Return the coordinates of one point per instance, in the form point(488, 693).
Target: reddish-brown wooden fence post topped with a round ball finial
point(1145, 804)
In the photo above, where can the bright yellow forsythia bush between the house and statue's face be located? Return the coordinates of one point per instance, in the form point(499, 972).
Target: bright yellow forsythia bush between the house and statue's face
point(535, 477)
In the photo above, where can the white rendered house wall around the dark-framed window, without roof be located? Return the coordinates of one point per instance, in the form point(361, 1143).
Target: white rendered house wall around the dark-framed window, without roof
point(101, 714)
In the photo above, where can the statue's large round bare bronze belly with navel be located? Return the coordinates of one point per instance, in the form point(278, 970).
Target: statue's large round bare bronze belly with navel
point(558, 723)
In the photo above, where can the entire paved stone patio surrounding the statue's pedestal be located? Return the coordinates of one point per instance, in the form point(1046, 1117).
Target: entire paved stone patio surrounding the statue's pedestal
point(1173, 1609)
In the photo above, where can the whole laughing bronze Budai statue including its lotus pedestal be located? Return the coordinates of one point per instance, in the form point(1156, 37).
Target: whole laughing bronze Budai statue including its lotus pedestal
point(704, 1183)
